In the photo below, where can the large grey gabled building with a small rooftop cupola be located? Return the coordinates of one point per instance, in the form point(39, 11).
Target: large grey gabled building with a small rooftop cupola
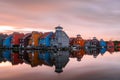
point(60, 38)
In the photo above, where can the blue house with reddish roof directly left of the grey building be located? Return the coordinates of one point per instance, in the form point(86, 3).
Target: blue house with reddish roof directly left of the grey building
point(45, 40)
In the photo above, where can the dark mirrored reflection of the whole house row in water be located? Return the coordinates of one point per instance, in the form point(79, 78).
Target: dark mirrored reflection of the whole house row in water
point(57, 59)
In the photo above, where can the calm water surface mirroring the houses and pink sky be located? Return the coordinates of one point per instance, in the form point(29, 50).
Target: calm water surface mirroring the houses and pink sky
point(78, 65)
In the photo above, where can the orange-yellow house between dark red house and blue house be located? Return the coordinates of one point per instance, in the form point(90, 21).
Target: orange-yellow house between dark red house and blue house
point(34, 39)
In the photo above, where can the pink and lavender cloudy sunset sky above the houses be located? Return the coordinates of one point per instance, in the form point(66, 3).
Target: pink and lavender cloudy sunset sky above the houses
point(89, 18)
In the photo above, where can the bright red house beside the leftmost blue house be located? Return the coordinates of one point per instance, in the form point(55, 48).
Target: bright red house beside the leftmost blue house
point(16, 39)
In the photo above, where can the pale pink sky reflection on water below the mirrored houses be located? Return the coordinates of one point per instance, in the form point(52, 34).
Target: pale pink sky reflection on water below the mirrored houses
point(106, 67)
